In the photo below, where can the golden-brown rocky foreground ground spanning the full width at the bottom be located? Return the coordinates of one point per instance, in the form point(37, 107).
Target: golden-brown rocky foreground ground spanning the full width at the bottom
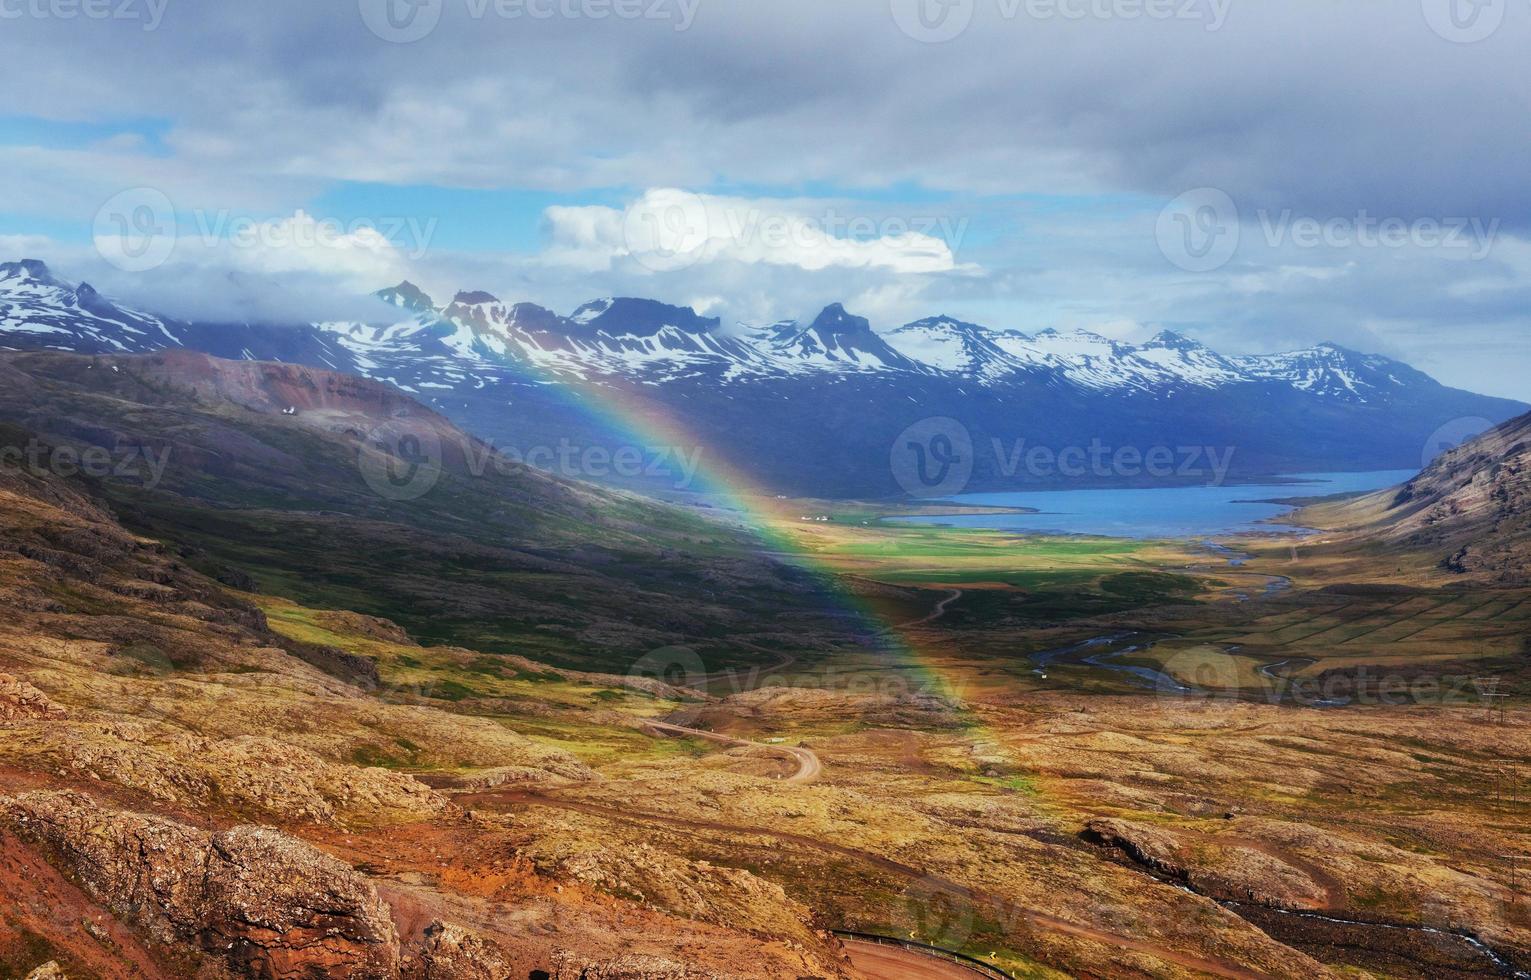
point(200, 786)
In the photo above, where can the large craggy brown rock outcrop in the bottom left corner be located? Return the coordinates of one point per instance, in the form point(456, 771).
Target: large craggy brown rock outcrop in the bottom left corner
point(267, 904)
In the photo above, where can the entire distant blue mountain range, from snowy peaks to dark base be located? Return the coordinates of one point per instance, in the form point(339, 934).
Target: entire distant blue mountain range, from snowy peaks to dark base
point(806, 408)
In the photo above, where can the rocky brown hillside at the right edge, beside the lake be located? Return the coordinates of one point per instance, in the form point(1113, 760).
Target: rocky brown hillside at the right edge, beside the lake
point(1471, 509)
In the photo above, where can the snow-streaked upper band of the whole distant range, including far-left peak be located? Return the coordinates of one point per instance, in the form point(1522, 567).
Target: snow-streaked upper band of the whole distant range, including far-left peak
point(478, 339)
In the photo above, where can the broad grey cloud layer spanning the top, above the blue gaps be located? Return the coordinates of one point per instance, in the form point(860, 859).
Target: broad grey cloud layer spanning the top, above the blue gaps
point(1282, 105)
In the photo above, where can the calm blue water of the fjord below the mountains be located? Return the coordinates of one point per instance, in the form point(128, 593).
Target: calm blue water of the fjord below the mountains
point(1161, 512)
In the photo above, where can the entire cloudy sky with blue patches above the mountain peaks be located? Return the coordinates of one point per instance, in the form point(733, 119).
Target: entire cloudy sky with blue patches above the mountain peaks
point(1256, 175)
